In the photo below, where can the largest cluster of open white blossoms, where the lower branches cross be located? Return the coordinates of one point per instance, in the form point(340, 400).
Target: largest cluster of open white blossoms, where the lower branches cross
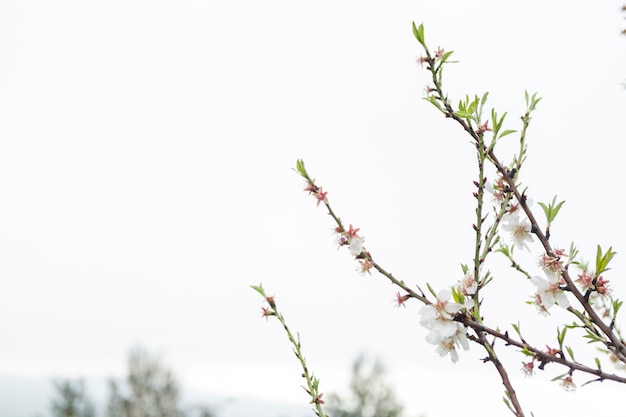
point(445, 333)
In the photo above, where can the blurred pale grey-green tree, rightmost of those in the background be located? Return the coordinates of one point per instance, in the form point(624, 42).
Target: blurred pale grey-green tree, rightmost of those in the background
point(370, 395)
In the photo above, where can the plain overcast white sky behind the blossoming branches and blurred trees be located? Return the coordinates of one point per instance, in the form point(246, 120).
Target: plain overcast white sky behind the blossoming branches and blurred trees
point(146, 150)
